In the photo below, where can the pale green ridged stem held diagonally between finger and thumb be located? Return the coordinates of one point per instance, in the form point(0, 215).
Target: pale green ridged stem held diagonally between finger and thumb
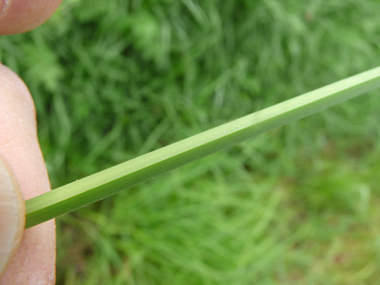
point(120, 177)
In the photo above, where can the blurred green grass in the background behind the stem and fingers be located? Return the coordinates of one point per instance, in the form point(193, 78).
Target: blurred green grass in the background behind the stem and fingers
point(299, 205)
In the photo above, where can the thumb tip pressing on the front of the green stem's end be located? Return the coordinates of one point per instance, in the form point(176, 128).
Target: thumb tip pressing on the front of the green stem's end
point(12, 215)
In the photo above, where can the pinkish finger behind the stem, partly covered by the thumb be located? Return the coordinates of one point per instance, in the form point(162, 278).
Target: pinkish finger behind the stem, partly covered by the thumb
point(34, 262)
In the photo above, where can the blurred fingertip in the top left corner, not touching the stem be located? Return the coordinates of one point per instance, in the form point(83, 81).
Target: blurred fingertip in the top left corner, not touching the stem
point(18, 16)
